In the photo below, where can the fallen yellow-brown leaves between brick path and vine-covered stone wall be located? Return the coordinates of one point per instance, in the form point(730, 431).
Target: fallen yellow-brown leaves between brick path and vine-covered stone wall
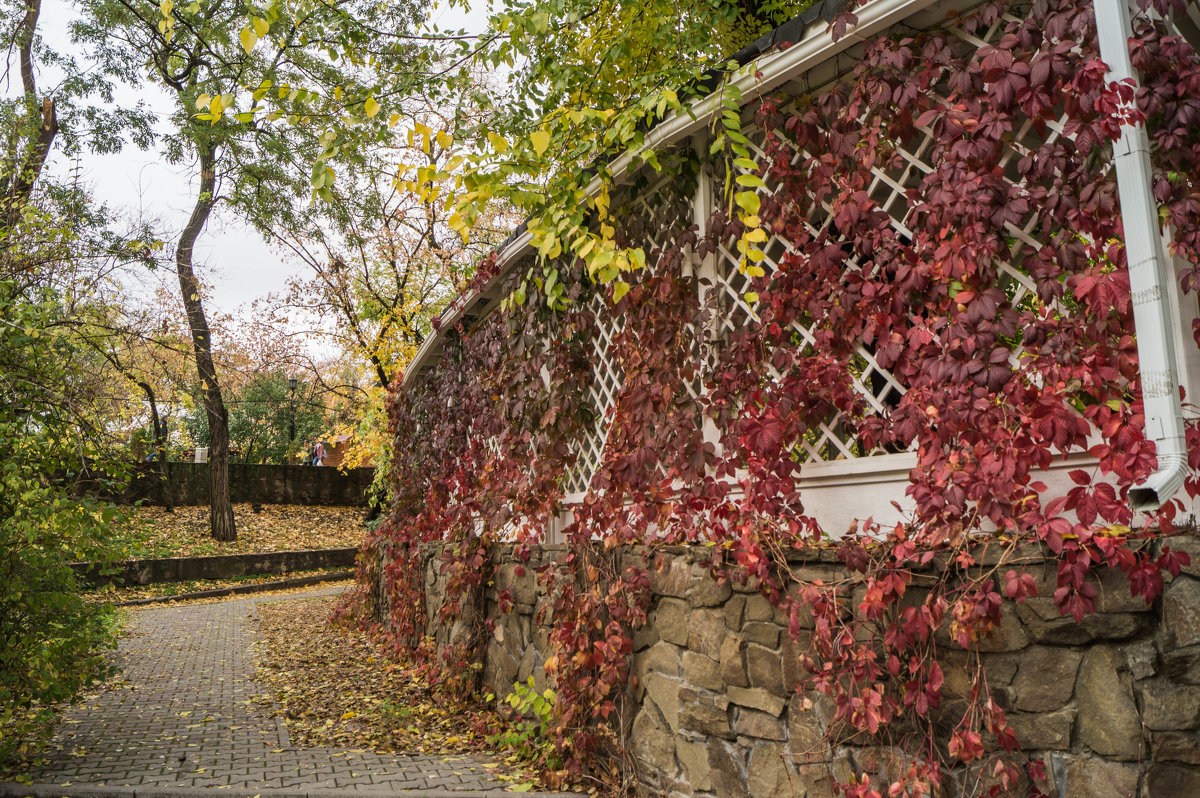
point(339, 689)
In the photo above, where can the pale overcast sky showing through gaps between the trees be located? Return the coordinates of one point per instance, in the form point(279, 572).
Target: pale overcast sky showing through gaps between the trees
point(230, 256)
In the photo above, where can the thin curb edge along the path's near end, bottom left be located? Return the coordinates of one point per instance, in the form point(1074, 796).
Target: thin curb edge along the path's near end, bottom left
point(14, 790)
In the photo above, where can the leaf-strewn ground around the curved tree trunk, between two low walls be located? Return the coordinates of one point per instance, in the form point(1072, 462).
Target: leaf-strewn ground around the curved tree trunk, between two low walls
point(153, 532)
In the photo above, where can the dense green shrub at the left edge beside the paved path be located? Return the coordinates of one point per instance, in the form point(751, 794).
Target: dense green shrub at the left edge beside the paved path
point(51, 641)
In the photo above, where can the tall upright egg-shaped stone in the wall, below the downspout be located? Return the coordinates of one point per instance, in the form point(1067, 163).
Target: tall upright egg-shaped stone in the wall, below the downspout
point(1108, 716)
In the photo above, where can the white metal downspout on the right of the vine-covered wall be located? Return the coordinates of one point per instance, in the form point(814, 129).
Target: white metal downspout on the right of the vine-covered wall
point(1149, 278)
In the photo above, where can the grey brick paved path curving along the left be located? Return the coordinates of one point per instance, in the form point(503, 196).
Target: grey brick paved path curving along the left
point(182, 717)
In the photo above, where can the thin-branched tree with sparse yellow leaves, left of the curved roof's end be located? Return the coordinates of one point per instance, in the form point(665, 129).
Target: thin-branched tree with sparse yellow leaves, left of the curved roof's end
point(382, 273)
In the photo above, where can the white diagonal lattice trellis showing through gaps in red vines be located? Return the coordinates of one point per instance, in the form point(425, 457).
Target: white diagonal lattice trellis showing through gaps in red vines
point(659, 213)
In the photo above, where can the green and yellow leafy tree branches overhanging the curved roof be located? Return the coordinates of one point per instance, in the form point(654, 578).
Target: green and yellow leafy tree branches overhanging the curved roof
point(587, 80)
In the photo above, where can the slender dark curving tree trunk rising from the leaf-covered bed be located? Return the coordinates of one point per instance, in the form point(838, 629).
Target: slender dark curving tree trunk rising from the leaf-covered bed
point(220, 509)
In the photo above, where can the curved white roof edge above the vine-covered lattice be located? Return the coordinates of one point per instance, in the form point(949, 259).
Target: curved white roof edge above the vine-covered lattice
point(776, 68)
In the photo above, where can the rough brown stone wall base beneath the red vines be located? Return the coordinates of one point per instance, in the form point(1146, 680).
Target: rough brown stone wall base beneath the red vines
point(1112, 705)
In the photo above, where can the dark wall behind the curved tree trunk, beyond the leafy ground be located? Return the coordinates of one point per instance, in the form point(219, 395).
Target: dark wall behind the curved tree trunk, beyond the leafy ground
point(189, 485)
